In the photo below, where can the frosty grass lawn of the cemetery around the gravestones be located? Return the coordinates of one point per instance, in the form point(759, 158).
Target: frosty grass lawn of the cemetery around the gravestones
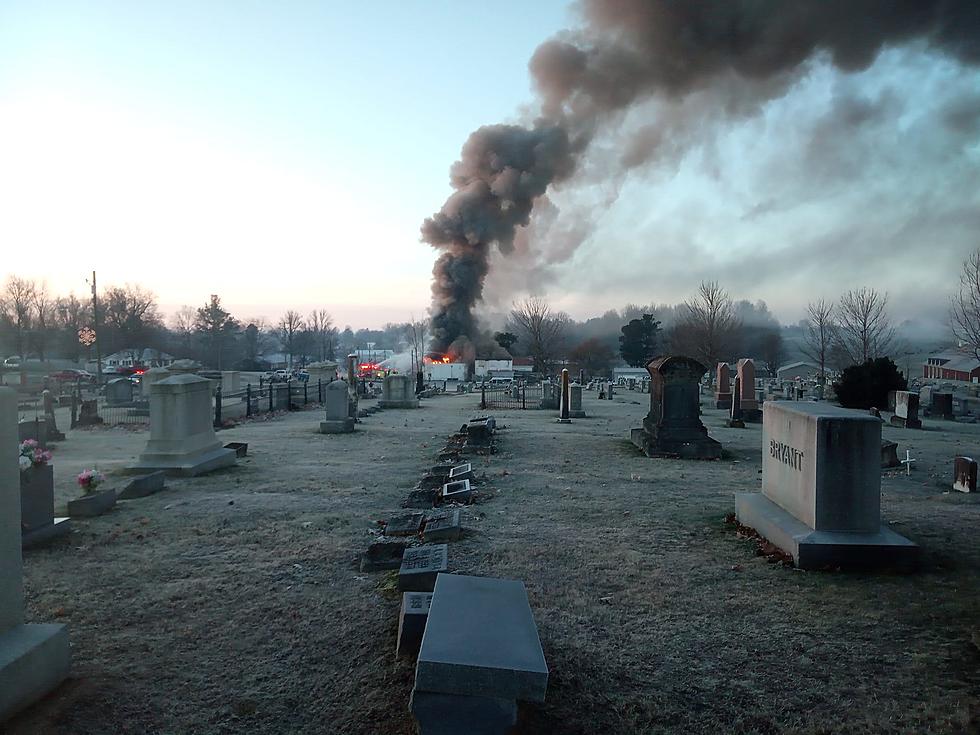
point(232, 603)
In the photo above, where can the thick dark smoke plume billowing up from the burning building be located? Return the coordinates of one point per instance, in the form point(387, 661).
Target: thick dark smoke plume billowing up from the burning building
point(701, 60)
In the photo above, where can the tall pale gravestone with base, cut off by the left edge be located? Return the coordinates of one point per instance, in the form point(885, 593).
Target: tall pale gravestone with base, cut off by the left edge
point(34, 659)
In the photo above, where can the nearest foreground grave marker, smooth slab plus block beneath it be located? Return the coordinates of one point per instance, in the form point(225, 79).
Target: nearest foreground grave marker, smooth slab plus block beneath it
point(480, 654)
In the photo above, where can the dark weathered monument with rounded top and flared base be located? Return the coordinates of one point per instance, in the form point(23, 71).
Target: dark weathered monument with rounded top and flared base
point(673, 426)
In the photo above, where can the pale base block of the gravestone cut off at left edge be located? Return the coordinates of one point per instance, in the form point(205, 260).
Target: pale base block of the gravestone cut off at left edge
point(34, 659)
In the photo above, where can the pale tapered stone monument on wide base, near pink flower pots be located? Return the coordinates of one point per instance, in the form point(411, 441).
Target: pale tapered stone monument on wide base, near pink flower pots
point(182, 439)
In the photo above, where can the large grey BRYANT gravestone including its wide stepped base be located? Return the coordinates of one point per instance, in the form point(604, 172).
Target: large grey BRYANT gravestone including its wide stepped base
point(821, 489)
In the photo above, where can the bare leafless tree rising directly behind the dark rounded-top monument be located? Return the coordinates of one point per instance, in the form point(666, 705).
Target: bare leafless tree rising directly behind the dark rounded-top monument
point(709, 327)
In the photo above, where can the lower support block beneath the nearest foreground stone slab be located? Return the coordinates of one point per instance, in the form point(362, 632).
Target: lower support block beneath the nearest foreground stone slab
point(452, 714)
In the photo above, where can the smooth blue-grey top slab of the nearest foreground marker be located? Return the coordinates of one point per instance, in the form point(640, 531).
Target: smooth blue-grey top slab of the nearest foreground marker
point(481, 640)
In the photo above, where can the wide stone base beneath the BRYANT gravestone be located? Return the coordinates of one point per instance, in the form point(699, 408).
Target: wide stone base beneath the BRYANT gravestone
point(820, 549)
